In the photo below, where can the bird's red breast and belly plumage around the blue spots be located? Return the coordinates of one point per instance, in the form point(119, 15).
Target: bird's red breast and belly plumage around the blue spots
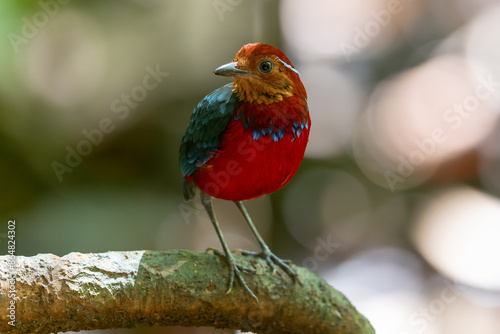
point(245, 168)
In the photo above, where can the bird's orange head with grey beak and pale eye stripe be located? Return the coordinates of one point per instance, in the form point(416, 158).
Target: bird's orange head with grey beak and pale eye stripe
point(263, 74)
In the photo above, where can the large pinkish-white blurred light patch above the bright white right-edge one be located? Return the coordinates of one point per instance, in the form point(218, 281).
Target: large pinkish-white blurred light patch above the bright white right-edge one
point(413, 125)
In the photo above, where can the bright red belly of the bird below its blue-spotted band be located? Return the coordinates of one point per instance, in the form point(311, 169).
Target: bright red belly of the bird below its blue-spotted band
point(246, 168)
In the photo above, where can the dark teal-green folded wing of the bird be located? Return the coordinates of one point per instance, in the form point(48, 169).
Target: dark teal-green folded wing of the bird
point(206, 127)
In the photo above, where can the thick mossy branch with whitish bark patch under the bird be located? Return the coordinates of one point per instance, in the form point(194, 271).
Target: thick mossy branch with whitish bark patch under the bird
point(151, 288)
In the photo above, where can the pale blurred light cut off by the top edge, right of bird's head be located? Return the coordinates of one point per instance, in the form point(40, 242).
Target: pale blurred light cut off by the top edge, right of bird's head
point(323, 29)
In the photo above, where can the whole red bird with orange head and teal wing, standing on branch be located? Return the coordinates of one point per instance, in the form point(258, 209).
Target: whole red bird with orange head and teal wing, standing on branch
point(247, 139)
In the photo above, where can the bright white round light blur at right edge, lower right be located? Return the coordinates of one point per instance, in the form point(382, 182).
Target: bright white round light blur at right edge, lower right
point(457, 232)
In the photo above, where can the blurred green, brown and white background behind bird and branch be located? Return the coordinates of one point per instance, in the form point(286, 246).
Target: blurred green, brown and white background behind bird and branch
point(396, 203)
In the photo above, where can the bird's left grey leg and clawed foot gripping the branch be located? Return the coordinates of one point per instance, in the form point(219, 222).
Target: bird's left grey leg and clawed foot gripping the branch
point(234, 269)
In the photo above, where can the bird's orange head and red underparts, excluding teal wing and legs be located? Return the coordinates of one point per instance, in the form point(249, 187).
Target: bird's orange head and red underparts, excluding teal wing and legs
point(263, 144)
